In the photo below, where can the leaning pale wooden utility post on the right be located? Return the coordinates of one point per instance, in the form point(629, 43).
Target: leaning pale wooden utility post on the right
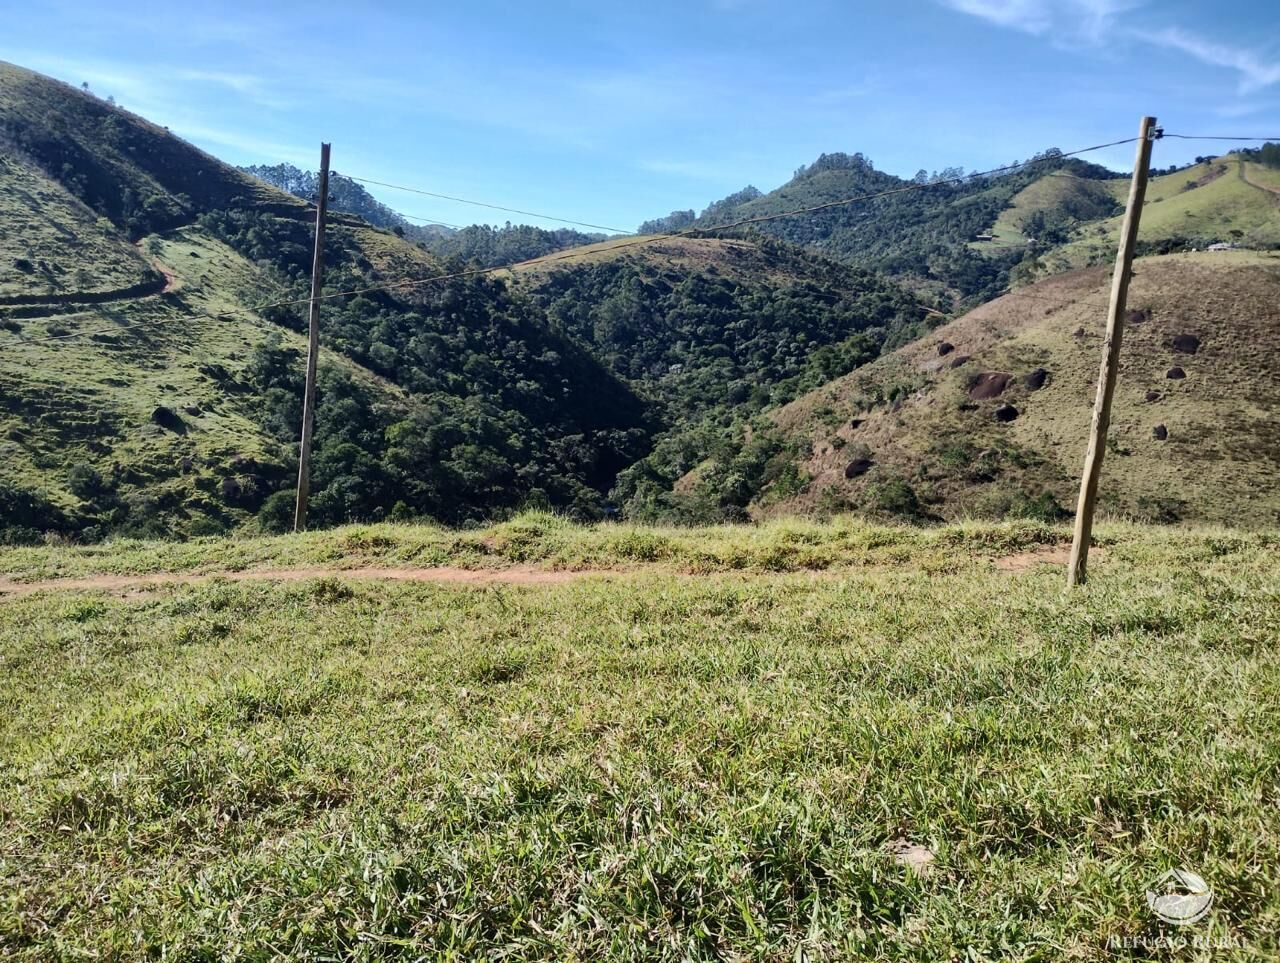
point(1077, 569)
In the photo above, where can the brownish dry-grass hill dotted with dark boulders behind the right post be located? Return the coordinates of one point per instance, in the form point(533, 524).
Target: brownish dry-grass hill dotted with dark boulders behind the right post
point(989, 414)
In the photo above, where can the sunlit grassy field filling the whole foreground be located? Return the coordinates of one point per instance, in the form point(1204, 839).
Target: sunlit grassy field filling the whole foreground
point(714, 747)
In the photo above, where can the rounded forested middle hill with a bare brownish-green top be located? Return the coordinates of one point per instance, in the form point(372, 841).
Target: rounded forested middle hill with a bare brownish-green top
point(706, 323)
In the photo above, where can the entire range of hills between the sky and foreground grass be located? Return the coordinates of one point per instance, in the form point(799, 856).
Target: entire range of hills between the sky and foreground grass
point(698, 378)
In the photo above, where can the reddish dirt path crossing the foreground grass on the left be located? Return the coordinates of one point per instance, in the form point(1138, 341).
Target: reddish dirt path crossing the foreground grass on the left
point(445, 574)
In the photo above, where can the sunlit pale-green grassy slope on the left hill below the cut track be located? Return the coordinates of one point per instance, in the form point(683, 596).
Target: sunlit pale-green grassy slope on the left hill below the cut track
point(89, 400)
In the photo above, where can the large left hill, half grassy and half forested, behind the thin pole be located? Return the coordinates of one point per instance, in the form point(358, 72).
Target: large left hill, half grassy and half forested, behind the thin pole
point(452, 400)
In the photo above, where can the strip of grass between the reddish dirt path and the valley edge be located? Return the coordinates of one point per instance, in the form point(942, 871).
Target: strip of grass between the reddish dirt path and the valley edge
point(546, 542)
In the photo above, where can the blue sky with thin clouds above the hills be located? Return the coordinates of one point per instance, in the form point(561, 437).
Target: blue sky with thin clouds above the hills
point(616, 112)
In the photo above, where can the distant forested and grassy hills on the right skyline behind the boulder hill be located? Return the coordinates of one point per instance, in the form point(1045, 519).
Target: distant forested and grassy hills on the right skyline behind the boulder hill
point(967, 239)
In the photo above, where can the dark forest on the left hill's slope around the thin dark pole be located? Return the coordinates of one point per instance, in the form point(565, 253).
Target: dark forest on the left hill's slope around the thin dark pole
point(500, 410)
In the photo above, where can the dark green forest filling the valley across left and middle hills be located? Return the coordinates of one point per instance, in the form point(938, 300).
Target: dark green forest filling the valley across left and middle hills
point(508, 404)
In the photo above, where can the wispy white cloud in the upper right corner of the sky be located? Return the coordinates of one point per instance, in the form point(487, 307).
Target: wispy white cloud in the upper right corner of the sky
point(1100, 24)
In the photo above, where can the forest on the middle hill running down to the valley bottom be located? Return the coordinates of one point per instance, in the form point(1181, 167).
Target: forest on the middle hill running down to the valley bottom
point(714, 349)
